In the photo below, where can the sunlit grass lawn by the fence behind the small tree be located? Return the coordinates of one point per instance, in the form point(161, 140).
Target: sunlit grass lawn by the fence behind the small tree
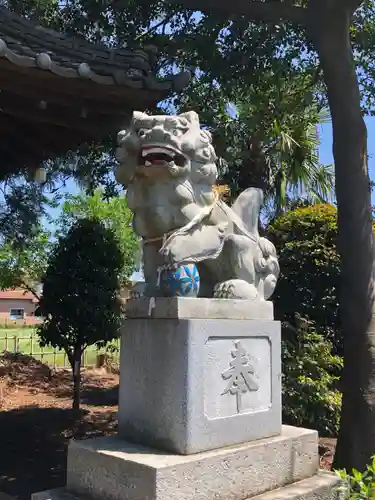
point(25, 340)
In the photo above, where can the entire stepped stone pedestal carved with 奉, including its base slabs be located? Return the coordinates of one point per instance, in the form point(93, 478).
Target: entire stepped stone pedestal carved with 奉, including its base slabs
point(199, 414)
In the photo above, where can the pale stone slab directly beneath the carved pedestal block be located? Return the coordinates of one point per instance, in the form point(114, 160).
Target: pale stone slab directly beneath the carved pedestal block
point(112, 469)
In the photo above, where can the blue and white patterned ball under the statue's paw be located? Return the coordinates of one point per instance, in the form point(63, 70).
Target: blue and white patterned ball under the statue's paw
point(180, 282)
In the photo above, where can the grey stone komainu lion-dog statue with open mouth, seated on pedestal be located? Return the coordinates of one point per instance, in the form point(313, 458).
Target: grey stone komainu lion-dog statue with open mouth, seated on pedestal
point(168, 166)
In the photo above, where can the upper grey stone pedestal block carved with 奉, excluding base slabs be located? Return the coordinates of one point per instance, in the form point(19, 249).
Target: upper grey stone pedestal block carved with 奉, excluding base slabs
point(195, 384)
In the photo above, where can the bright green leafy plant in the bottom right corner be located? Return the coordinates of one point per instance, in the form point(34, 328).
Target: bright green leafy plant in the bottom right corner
point(358, 485)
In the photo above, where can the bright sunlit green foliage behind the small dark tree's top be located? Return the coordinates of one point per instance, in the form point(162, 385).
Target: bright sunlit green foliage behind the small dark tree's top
point(114, 214)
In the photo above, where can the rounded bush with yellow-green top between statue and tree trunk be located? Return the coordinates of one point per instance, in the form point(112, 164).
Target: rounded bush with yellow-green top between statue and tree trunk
point(305, 239)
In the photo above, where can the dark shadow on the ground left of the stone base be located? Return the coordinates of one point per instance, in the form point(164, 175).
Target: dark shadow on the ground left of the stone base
point(33, 443)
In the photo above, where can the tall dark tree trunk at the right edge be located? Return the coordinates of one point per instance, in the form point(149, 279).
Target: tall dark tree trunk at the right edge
point(329, 30)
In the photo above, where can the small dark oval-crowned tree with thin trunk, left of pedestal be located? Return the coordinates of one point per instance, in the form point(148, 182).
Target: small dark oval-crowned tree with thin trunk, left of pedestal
point(80, 300)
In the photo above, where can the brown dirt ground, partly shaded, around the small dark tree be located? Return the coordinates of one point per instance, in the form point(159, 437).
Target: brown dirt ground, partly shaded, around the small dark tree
point(36, 422)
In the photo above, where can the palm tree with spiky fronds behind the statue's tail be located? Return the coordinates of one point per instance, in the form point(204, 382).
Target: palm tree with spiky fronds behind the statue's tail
point(279, 154)
